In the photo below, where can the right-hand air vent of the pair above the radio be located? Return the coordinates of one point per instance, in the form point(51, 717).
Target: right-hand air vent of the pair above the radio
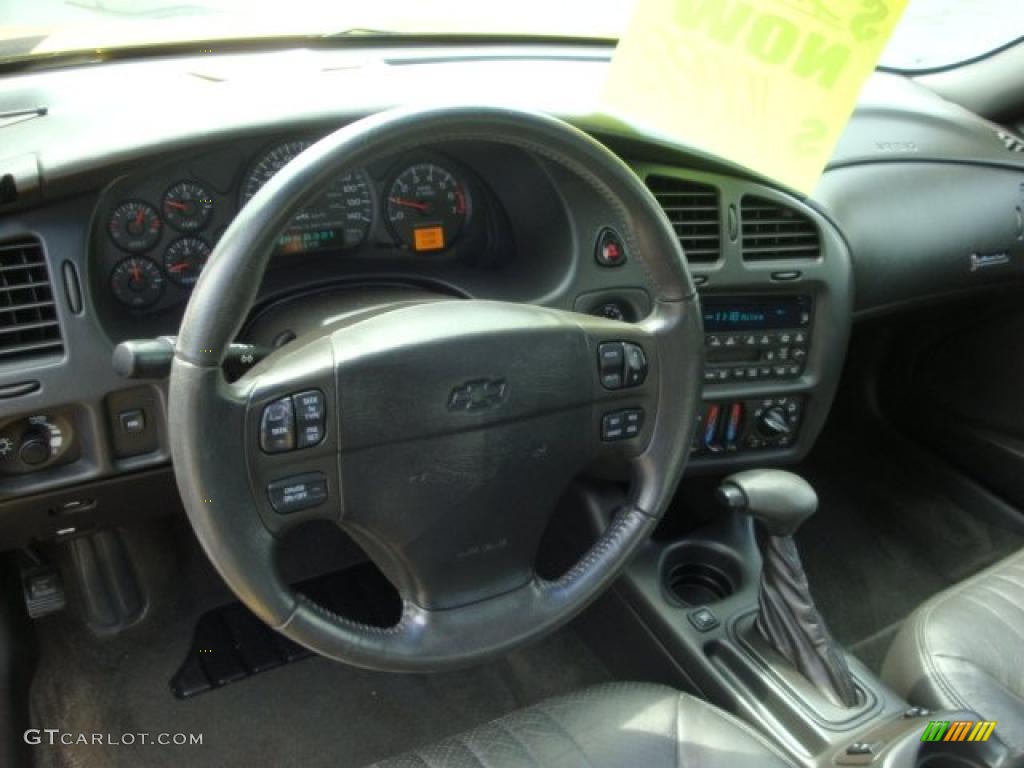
point(774, 232)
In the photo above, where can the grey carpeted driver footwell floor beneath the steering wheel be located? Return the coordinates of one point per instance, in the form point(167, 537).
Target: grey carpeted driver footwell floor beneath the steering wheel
point(312, 713)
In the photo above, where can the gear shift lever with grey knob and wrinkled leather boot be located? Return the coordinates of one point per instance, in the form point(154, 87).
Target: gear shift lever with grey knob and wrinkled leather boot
point(788, 619)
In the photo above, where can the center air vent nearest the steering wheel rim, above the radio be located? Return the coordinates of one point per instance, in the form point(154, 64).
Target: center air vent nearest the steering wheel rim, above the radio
point(694, 210)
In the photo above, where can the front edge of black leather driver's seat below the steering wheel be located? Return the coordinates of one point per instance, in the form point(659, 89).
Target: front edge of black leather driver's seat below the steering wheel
point(609, 727)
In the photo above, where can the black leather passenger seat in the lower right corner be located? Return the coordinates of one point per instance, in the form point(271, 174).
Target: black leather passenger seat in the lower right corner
point(964, 650)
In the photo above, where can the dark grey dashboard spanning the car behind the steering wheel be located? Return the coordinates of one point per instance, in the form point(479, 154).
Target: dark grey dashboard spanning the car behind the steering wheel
point(110, 230)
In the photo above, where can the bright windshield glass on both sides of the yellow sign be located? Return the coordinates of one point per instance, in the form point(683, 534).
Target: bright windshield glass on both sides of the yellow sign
point(932, 34)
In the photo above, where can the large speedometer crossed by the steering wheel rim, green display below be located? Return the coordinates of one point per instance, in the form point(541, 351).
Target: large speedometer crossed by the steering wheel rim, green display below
point(338, 219)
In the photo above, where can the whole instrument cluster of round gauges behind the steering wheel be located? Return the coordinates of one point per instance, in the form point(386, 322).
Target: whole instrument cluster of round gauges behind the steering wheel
point(159, 237)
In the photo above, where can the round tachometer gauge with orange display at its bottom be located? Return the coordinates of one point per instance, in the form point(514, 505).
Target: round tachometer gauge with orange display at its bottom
point(428, 207)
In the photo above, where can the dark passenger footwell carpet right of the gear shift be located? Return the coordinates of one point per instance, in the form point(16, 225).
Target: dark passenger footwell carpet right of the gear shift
point(885, 540)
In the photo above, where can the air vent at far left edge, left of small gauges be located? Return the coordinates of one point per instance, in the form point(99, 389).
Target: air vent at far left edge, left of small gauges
point(29, 326)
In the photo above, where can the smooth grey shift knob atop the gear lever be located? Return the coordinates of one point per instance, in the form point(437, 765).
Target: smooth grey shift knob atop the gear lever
point(780, 501)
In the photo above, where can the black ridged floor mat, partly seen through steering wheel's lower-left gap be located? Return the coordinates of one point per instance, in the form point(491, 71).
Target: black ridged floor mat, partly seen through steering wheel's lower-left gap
point(231, 644)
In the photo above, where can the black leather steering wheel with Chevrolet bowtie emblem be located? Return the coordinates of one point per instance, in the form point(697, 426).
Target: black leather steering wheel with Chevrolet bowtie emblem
point(439, 436)
